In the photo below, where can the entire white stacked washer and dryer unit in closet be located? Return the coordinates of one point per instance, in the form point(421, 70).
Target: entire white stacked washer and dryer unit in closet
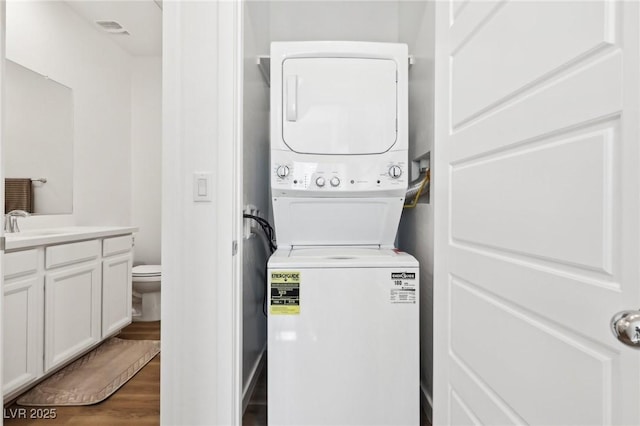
point(343, 319)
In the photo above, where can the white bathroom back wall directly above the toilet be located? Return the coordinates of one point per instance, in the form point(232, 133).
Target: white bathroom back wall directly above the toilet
point(146, 156)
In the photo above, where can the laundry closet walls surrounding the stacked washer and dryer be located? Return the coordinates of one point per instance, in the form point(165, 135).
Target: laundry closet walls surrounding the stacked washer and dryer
point(411, 23)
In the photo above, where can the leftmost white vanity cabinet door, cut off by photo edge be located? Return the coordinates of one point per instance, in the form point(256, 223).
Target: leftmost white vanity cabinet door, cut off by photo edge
point(23, 332)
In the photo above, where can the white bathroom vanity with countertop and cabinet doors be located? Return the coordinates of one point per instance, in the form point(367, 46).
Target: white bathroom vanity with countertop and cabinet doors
point(65, 291)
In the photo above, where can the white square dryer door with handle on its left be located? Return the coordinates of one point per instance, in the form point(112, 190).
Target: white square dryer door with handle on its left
point(339, 105)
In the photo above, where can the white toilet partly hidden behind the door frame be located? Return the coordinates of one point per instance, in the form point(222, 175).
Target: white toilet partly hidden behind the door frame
point(146, 292)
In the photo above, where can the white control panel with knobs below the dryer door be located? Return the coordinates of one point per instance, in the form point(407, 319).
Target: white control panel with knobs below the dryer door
point(318, 176)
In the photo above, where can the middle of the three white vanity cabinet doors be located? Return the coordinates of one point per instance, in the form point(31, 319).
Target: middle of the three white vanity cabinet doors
point(72, 312)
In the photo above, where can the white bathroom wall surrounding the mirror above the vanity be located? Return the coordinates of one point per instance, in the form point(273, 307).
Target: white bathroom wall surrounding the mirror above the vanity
point(49, 38)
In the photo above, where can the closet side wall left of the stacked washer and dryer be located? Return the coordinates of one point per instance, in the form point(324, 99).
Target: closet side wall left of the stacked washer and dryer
point(255, 187)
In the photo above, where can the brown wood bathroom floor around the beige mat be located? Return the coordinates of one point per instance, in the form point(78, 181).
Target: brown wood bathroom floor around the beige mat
point(135, 403)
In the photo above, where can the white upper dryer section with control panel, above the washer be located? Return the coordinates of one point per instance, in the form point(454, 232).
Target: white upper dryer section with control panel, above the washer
point(339, 142)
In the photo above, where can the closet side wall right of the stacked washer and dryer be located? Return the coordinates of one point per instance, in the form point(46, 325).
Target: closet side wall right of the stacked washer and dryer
point(417, 29)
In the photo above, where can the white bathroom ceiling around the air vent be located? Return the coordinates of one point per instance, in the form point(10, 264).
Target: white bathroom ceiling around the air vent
point(142, 19)
